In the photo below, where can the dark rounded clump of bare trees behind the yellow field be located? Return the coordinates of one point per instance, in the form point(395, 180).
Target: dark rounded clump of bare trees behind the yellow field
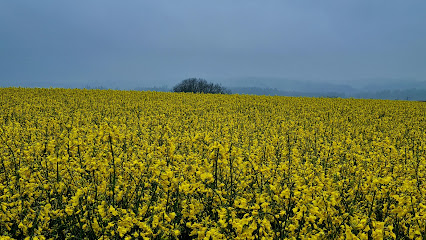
point(198, 85)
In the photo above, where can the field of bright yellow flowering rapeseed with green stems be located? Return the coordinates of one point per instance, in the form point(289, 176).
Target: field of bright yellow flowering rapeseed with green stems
point(103, 164)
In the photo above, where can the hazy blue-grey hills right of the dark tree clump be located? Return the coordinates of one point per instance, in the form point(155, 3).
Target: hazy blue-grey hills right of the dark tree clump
point(395, 89)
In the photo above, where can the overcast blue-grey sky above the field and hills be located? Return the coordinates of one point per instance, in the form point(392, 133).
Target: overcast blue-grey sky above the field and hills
point(128, 44)
